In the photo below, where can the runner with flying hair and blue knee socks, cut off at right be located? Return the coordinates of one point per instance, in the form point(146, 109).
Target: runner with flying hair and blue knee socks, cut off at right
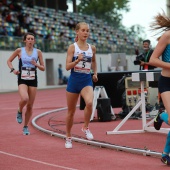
point(162, 22)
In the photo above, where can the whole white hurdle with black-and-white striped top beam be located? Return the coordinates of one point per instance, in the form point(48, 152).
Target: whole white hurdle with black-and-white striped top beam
point(142, 77)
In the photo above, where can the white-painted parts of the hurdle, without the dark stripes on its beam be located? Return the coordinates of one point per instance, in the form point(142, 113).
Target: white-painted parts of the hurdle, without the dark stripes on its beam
point(145, 126)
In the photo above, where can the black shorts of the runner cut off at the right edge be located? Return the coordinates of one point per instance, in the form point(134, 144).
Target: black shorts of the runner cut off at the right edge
point(164, 84)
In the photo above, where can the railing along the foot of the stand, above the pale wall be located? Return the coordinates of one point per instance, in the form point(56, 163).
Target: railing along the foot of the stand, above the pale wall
point(60, 45)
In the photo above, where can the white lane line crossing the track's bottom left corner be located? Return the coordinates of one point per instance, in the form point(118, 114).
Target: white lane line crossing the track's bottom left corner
point(28, 159)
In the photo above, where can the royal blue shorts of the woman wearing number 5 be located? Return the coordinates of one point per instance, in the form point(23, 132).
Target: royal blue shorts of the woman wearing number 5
point(75, 85)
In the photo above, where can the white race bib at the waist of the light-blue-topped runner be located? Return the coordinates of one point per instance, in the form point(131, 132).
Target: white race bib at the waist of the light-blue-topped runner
point(27, 73)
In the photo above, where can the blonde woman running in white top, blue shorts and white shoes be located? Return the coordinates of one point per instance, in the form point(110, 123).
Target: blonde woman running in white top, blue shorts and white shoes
point(81, 58)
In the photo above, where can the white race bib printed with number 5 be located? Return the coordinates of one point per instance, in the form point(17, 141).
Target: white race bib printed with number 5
point(83, 66)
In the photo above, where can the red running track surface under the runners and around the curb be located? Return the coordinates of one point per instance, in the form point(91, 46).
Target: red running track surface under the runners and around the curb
point(41, 151)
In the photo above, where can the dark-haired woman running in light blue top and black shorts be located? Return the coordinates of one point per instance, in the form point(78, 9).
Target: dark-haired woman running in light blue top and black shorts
point(27, 76)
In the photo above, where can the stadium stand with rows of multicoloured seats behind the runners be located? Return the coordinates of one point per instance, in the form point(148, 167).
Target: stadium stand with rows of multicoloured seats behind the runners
point(55, 31)
